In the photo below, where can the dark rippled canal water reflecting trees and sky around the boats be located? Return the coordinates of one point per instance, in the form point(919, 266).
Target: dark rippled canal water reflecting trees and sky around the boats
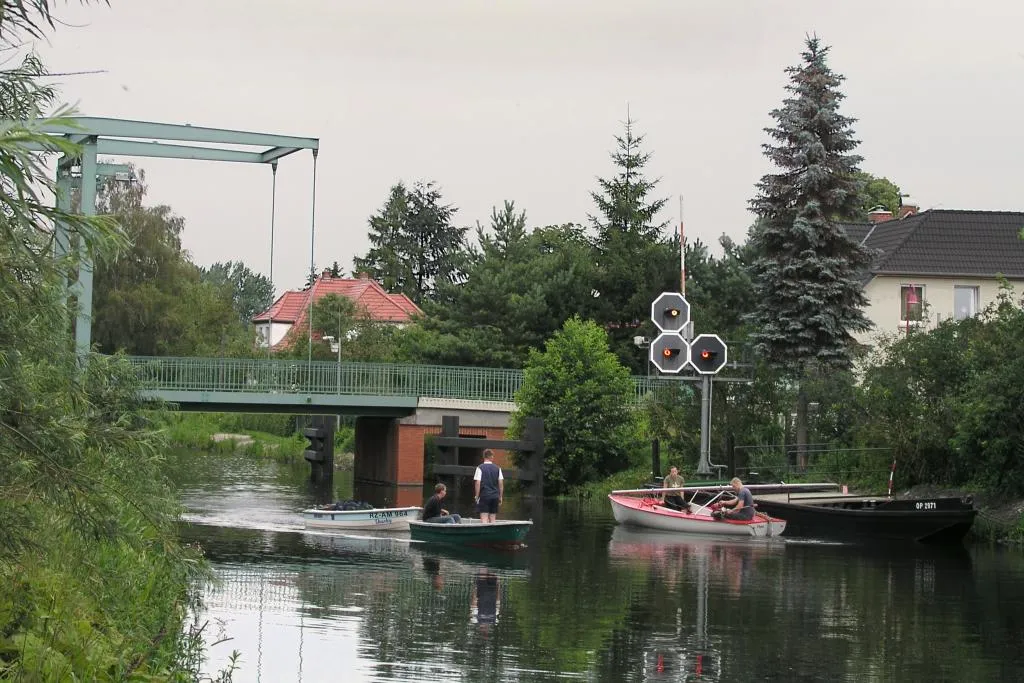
point(587, 601)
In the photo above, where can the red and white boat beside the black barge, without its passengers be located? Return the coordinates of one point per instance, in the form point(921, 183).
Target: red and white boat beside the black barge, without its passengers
point(643, 507)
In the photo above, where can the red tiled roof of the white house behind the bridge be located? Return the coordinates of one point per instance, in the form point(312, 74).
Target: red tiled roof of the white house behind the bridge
point(293, 306)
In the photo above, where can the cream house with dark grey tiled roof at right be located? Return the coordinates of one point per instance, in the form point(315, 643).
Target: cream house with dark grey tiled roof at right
point(938, 265)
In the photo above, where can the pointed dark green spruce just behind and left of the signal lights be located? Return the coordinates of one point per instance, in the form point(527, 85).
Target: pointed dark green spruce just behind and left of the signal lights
point(635, 261)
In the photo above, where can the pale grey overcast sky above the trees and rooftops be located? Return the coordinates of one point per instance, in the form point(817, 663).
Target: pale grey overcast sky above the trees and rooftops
point(520, 100)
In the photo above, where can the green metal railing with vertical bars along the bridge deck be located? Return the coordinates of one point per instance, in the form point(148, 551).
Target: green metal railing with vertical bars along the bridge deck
point(325, 377)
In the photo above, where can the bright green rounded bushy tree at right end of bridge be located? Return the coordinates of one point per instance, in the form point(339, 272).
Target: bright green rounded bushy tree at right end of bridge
point(583, 395)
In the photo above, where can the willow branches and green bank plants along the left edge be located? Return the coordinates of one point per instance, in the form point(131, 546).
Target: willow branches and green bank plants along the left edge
point(94, 583)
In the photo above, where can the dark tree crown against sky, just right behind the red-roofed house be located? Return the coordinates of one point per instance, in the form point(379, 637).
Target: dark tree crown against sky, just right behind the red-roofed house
point(415, 246)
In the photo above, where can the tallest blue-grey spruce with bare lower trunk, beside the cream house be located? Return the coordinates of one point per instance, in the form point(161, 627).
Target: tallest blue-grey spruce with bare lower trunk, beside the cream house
point(806, 274)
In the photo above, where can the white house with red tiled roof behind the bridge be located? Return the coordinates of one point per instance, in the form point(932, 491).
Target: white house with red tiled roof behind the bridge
point(278, 325)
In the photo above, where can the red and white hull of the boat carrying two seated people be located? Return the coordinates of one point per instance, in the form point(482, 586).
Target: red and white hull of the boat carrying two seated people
point(645, 513)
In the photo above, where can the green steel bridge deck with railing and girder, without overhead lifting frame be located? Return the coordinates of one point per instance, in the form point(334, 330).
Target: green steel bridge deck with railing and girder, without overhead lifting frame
point(280, 386)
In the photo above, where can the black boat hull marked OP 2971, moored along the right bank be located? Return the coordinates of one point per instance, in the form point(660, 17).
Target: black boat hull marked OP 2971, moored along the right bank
point(936, 522)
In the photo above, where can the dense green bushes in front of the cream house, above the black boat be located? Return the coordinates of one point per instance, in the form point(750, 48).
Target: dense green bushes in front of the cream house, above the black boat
point(948, 401)
